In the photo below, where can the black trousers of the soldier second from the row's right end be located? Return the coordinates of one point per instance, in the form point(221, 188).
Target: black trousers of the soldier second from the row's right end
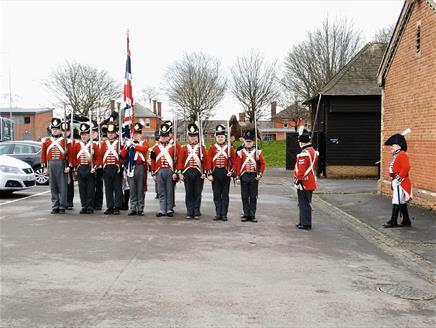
point(220, 187)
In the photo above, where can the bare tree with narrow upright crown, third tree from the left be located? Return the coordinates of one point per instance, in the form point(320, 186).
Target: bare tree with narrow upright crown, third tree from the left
point(254, 83)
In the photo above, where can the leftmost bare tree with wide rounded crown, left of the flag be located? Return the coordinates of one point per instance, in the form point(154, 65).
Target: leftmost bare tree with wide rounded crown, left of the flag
point(82, 88)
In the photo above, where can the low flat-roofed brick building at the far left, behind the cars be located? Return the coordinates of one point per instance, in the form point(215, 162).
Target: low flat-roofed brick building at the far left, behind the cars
point(30, 123)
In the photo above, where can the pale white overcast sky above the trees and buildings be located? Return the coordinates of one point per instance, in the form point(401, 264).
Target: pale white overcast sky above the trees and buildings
point(38, 36)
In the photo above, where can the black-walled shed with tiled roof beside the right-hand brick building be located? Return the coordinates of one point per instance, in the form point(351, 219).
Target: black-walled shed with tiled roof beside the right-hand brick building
point(346, 124)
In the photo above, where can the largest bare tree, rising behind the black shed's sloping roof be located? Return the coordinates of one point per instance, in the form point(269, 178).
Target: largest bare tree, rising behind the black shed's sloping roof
point(310, 64)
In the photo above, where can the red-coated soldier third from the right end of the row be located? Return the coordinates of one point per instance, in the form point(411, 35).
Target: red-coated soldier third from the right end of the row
point(191, 167)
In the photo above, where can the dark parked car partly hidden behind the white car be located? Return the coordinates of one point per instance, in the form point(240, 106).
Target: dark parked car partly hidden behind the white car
point(29, 152)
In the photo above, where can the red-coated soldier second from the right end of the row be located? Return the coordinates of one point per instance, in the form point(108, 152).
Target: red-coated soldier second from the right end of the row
point(221, 160)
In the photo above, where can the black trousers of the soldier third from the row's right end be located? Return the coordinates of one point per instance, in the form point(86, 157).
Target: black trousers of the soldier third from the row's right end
point(193, 189)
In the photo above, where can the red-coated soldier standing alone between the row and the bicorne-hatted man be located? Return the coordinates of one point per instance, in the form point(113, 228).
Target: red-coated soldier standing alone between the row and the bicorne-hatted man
point(305, 179)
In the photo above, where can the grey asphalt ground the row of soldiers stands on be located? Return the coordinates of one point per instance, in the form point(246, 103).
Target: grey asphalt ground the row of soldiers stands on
point(117, 271)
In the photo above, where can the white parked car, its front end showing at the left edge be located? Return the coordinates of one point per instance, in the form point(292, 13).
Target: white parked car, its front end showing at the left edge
point(15, 174)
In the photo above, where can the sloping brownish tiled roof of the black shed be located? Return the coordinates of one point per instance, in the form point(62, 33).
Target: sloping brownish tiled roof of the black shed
point(359, 76)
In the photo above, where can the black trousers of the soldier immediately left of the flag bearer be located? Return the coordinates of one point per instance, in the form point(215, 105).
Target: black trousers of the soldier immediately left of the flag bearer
point(112, 187)
